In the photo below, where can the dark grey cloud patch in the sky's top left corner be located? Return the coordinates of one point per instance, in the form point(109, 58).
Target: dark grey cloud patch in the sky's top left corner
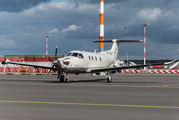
point(19, 5)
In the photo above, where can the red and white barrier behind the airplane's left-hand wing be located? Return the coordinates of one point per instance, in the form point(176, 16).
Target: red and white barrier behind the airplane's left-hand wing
point(37, 60)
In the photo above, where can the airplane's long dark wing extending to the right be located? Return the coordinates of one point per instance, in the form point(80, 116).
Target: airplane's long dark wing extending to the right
point(127, 67)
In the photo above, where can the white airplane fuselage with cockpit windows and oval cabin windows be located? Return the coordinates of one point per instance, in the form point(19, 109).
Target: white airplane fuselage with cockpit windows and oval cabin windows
point(84, 62)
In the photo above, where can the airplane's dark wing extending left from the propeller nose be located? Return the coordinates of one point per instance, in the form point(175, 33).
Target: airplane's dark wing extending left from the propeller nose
point(30, 65)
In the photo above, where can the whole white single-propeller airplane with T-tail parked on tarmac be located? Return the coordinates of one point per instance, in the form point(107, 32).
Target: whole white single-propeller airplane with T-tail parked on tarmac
point(77, 62)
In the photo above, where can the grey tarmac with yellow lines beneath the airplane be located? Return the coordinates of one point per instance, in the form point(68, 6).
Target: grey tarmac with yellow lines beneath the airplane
point(127, 97)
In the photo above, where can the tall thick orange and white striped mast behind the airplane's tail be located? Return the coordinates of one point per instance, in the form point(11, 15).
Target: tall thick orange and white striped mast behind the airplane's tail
point(101, 38)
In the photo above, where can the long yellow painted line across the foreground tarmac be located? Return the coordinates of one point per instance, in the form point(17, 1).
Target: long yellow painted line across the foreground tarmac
point(89, 104)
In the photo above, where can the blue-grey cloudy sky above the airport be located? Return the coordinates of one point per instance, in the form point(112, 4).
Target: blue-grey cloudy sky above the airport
point(74, 24)
